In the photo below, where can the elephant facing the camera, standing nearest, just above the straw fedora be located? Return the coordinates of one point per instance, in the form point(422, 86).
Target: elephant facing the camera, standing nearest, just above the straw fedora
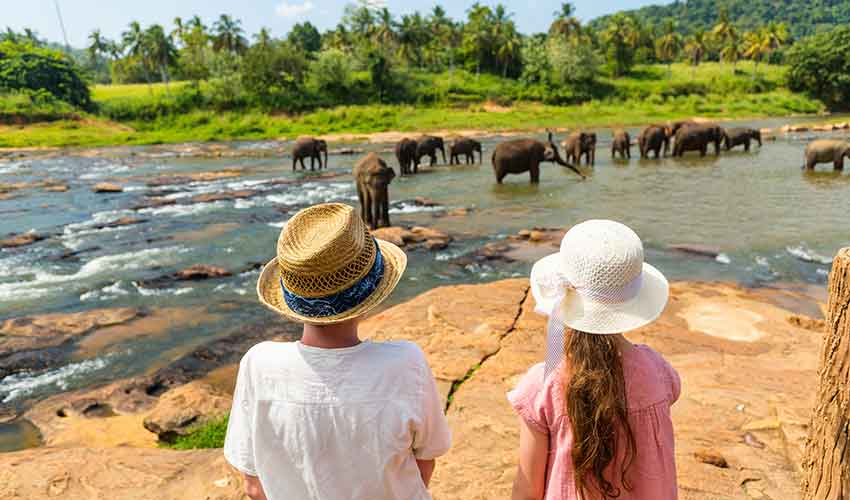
point(372, 177)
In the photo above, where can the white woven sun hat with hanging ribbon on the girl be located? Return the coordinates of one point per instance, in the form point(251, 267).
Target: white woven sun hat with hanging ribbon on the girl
point(598, 283)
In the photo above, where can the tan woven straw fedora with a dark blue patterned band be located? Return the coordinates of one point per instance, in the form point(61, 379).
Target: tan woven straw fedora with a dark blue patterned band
point(329, 268)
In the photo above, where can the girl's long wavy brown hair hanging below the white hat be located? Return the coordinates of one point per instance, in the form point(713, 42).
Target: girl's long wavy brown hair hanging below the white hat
point(598, 413)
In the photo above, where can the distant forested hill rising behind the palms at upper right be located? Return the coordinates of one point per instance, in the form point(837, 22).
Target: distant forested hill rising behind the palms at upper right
point(803, 17)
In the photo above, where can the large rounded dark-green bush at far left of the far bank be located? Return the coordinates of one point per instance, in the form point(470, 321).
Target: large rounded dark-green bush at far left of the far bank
point(42, 72)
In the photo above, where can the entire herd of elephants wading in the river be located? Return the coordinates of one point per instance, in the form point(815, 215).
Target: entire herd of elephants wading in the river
point(373, 176)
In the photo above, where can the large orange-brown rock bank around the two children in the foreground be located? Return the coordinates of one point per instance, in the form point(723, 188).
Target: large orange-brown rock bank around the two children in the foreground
point(748, 367)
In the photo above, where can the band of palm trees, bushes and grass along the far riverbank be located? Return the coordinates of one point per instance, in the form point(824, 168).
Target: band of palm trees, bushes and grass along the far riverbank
point(375, 72)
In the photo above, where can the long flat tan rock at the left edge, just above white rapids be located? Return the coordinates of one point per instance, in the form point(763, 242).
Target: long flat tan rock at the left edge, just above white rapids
point(52, 330)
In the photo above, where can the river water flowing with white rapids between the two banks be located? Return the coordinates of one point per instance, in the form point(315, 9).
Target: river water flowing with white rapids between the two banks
point(772, 222)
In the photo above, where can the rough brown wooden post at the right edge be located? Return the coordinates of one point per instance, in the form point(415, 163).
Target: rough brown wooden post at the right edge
point(826, 465)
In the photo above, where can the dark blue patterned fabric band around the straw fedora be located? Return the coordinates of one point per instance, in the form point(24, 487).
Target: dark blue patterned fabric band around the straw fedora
point(338, 303)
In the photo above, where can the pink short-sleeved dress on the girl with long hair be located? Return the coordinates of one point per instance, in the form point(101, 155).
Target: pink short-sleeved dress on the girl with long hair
point(652, 386)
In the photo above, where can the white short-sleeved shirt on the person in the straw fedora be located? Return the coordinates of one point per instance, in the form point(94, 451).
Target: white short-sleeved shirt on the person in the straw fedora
point(336, 424)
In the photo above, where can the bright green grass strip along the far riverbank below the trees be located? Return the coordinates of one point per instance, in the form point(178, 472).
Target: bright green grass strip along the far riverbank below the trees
point(650, 94)
